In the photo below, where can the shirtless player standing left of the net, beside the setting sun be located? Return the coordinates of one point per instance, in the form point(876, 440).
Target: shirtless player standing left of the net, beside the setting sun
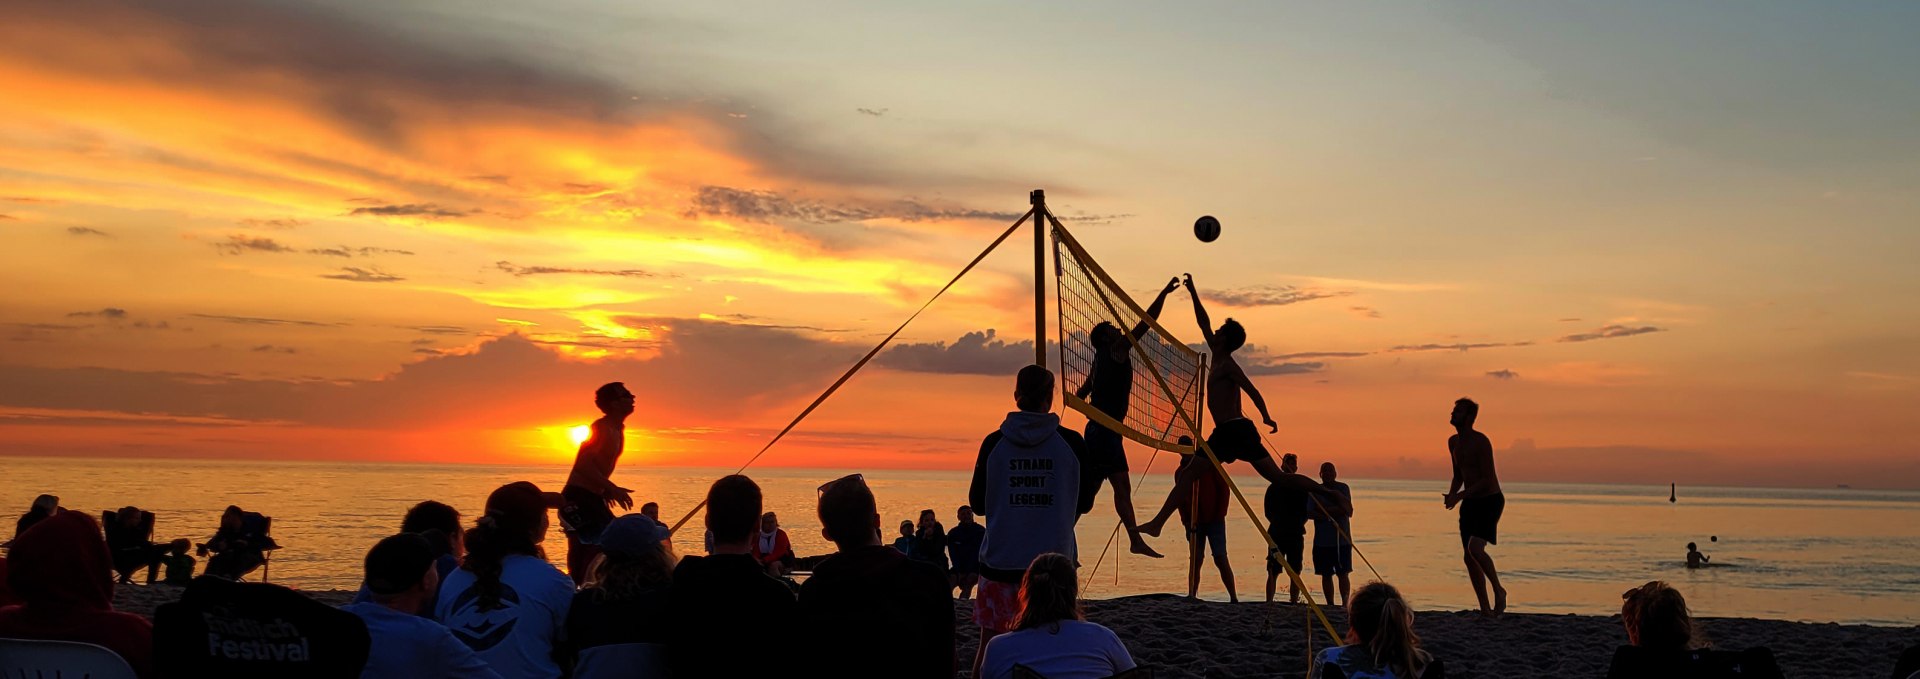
point(588, 498)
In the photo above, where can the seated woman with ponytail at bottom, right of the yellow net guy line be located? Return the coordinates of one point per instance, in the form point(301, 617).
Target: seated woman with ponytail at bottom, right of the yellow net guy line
point(1380, 642)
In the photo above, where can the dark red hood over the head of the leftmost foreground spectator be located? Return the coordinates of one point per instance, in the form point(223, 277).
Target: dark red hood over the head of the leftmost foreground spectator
point(62, 563)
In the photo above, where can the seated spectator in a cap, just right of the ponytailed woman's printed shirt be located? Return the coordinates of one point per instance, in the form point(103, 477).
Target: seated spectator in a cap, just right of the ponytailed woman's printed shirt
point(621, 622)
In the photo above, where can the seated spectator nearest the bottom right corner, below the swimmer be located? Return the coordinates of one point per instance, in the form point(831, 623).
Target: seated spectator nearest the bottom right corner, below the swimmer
point(1664, 644)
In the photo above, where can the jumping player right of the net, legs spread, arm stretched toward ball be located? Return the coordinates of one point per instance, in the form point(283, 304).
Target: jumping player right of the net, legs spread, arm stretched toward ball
point(1236, 438)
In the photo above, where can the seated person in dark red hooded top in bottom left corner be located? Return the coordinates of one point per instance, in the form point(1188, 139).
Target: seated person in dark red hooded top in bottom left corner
point(64, 576)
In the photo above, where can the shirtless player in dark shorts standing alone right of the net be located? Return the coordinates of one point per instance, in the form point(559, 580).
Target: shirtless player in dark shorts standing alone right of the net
point(1476, 488)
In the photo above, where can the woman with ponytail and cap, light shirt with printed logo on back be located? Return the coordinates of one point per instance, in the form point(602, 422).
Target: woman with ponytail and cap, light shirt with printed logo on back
point(506, 601)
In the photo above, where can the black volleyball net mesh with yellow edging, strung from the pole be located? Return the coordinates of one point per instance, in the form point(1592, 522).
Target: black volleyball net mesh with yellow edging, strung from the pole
point(1088, 298)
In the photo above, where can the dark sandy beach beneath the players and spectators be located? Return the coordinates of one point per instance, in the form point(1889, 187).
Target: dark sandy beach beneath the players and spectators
point(1222, 642)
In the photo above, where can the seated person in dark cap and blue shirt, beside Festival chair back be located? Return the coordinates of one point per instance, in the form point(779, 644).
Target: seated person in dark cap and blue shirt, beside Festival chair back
point(402, 578)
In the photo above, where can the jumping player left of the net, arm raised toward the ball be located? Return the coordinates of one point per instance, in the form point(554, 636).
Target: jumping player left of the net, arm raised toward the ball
point(1109, 388)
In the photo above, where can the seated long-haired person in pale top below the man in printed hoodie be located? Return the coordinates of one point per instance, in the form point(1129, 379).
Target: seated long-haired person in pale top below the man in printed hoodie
point(1051, 638)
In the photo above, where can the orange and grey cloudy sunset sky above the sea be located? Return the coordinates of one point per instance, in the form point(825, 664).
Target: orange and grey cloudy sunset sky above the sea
point(1658, 243)
